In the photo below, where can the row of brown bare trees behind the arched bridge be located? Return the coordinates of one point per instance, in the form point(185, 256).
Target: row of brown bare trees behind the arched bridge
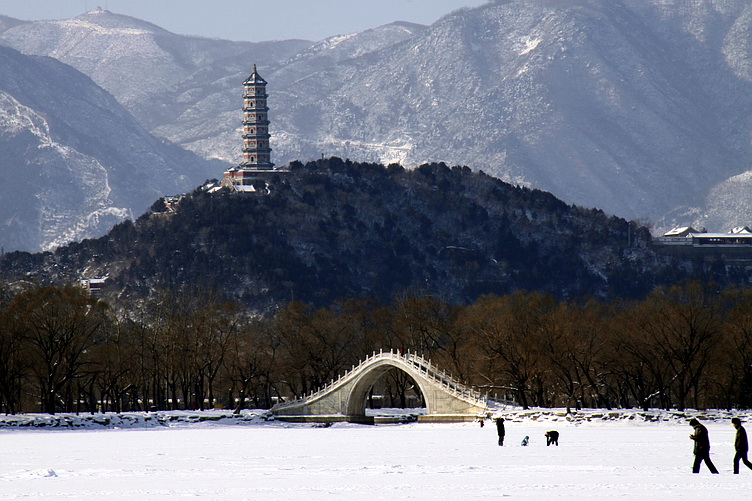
point(684, 346)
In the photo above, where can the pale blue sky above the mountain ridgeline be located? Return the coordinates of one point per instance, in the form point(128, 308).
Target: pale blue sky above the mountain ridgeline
point(241, 19)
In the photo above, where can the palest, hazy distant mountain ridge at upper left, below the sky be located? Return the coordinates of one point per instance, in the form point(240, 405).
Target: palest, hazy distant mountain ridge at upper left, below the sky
point(132, 58)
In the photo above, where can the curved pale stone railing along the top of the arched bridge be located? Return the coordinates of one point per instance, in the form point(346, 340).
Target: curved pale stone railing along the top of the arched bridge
point(417, 362)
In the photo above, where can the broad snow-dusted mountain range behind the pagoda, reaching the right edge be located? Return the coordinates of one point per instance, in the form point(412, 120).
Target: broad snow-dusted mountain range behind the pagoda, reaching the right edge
point(638, 107)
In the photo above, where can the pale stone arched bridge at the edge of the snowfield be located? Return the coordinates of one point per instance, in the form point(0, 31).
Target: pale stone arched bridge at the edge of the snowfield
point(447, 400)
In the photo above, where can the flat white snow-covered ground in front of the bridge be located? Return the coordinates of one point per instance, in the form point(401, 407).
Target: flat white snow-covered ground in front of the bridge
point(186, 457)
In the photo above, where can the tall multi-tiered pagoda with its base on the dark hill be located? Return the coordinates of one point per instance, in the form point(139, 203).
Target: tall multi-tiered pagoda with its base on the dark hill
point(256, 165)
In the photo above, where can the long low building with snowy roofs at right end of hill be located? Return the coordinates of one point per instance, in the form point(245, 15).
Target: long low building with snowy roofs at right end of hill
point(734, 246)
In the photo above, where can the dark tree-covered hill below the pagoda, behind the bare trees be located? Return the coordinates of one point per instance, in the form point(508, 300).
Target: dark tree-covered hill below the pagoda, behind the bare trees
point(335, 229)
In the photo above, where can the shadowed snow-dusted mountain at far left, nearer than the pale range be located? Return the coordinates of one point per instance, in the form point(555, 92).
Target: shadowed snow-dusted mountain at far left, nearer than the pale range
point(73, 161)
